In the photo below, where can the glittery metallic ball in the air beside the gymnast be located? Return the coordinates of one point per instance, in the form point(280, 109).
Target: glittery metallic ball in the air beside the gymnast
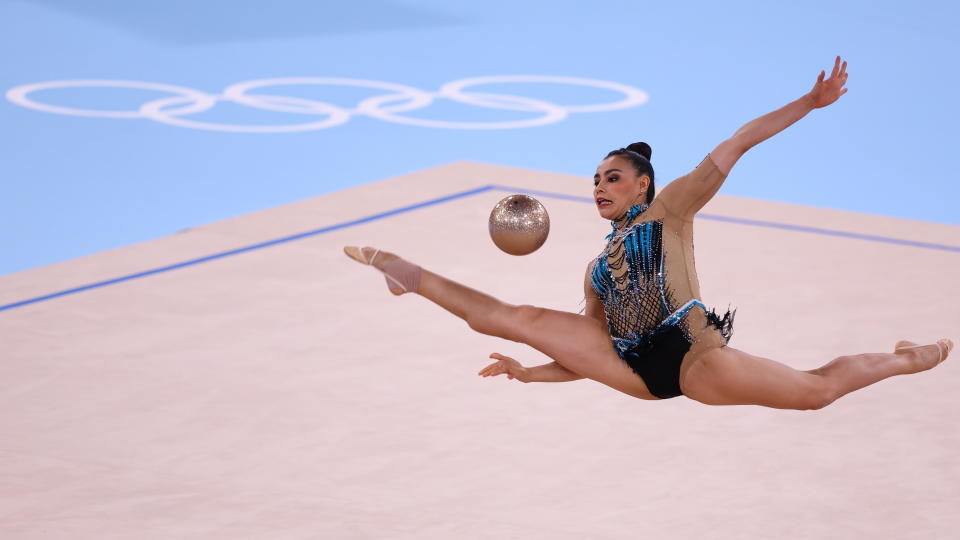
point(519, 224)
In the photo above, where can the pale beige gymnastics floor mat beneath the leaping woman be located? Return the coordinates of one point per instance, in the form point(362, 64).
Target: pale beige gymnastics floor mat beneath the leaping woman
point(282, 393)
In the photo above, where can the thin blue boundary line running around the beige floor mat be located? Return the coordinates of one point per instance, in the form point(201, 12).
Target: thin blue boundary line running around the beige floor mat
point(460, 195)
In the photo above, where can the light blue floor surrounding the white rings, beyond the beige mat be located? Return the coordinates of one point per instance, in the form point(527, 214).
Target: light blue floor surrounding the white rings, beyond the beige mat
point(71, 186)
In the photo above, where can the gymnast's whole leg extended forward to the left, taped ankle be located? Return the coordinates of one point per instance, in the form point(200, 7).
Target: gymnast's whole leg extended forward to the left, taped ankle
point(578, 343)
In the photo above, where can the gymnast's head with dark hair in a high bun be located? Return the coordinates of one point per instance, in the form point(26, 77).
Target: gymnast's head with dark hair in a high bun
point(623, 179)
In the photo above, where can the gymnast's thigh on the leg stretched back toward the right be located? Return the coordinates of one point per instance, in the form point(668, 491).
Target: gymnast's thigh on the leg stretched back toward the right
point(727, 376)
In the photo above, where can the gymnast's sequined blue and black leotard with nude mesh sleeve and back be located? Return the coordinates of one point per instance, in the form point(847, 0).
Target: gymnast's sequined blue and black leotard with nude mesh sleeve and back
point(646, 280)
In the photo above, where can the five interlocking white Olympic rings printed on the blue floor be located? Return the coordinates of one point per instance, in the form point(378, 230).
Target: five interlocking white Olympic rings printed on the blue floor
point(389, 107)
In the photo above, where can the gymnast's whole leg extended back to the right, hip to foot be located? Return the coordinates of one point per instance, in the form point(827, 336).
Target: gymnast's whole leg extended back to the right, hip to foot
point(727, 376)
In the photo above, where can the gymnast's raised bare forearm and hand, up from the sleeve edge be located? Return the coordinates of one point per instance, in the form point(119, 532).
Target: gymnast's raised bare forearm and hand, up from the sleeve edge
point(824, 92)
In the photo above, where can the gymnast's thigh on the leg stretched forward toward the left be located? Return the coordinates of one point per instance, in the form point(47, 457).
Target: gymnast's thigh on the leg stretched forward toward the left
point(580, 344)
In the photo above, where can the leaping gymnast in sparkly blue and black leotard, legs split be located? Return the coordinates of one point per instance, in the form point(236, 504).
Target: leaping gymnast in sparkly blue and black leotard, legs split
point(644, 330)
